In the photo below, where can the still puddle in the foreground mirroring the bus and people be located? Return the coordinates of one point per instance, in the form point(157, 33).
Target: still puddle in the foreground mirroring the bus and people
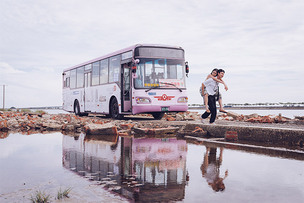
point(120, 169)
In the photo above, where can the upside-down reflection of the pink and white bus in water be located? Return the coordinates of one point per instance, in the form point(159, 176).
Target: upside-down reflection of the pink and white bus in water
point(144, 169)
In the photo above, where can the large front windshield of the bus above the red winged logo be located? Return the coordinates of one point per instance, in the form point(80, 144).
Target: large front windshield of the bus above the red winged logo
point(160, 73)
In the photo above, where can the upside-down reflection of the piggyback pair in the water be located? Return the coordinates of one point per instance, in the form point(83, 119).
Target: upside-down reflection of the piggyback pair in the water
point(211, 169)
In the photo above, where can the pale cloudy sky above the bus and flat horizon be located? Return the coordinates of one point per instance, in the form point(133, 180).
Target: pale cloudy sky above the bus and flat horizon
point(260, 44)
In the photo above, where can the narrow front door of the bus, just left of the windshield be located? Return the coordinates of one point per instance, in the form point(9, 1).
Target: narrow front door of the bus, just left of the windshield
point(126, 88)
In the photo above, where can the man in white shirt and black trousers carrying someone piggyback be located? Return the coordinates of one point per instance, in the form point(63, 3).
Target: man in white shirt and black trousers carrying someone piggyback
point(211, 88)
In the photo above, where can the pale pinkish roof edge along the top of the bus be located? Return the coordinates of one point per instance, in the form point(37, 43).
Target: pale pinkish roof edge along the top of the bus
point(122, 51)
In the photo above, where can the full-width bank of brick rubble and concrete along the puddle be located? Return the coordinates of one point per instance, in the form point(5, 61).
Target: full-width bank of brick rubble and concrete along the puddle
point(232, 126)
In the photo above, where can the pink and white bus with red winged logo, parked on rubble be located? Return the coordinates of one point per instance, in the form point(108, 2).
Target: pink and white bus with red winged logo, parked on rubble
point(144, 78)
